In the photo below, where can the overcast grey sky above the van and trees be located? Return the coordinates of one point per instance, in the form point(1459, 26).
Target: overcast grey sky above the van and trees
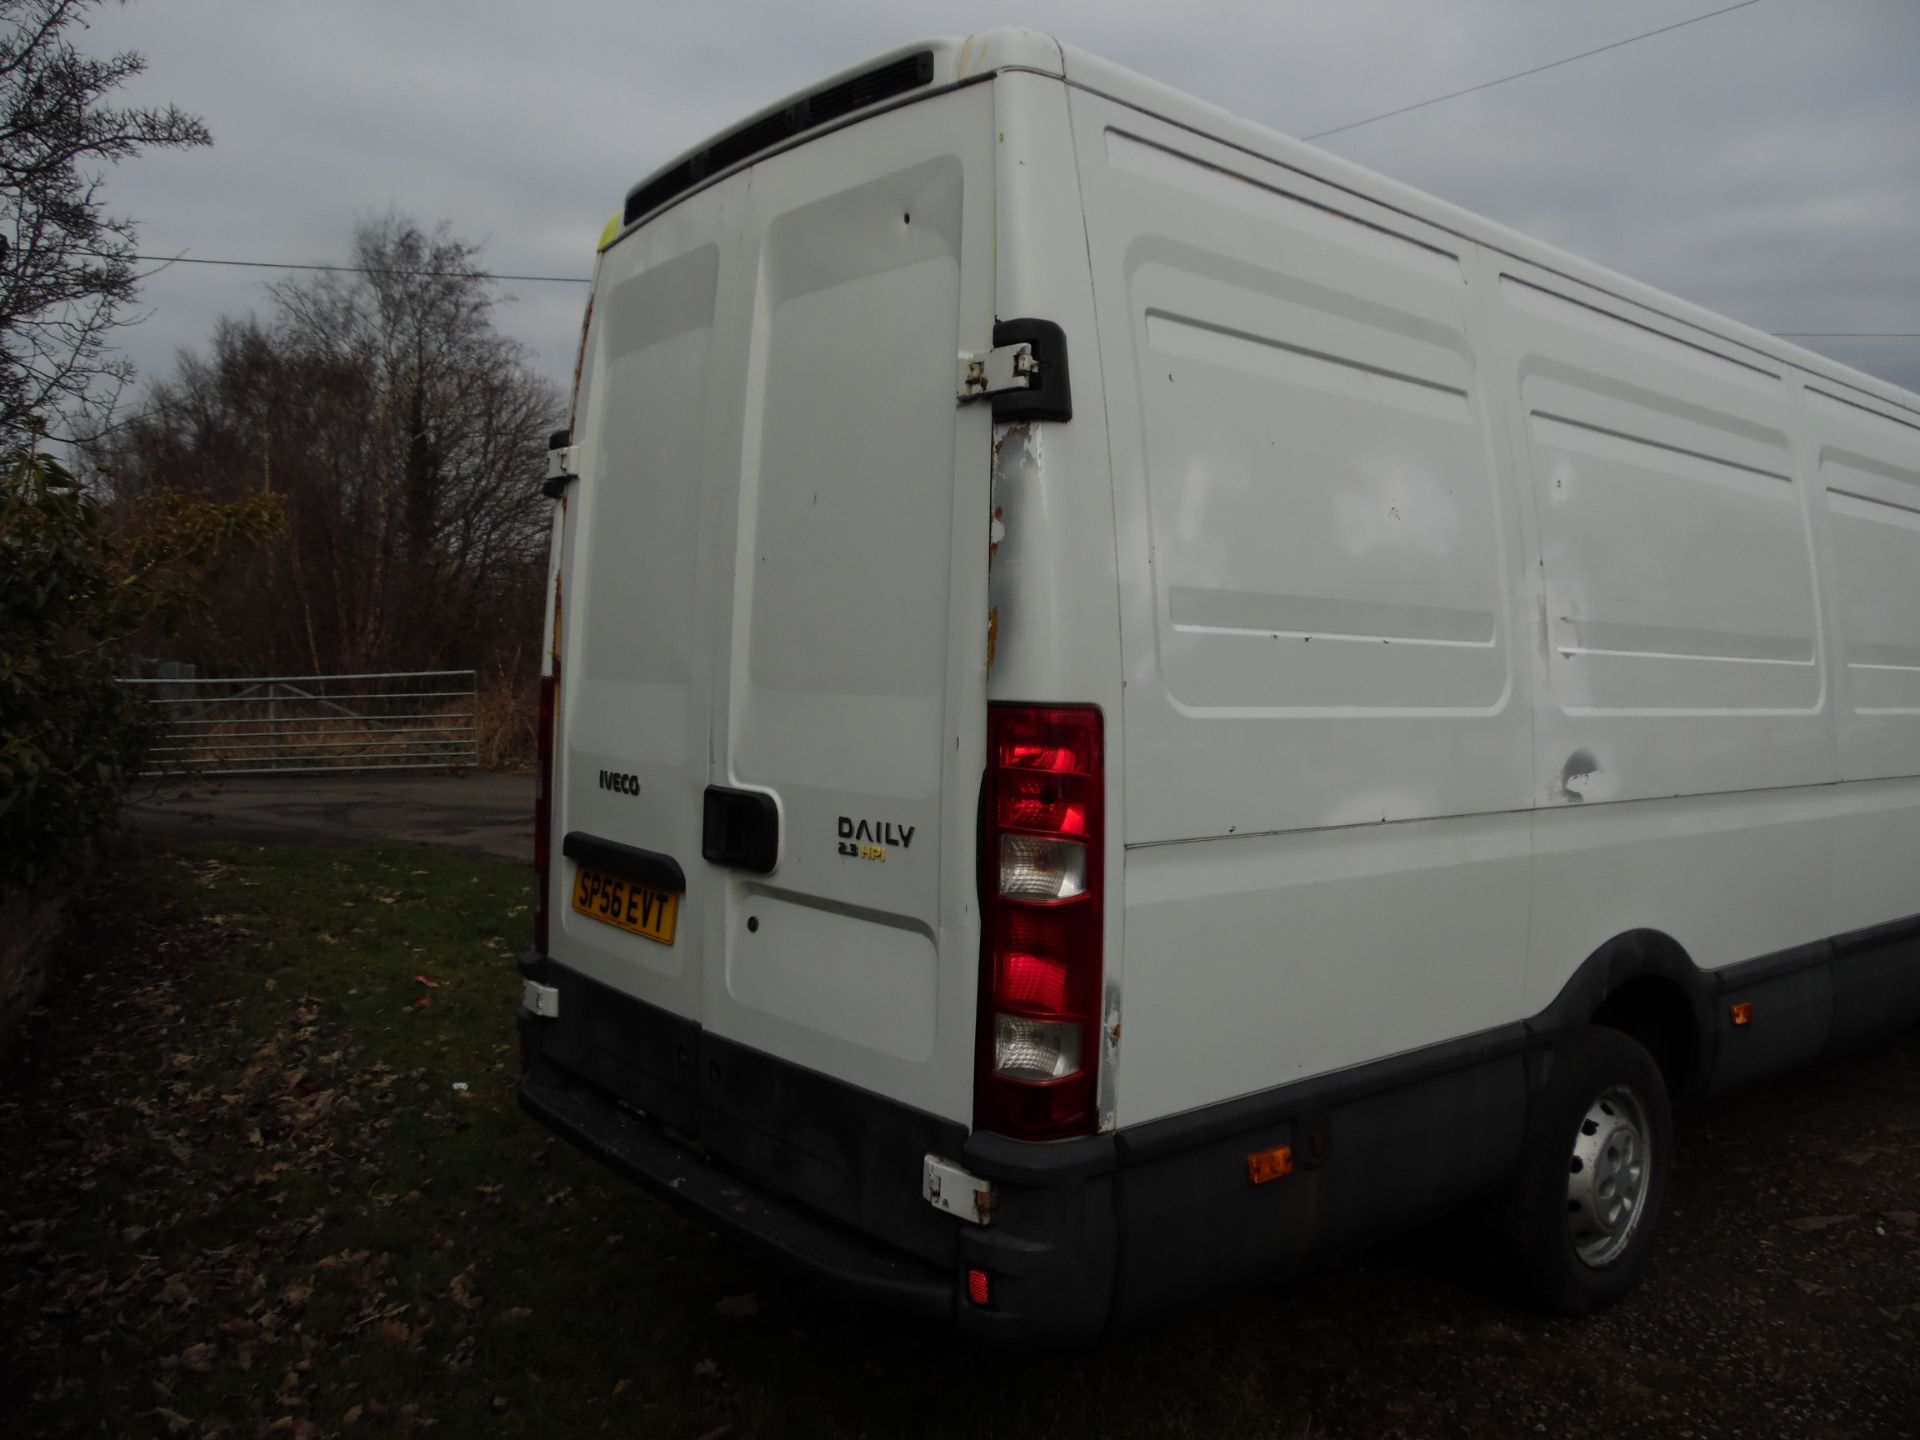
point(1765, 164)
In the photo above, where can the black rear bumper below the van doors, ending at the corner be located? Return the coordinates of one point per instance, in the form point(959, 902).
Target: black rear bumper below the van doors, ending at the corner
point(823, 1176)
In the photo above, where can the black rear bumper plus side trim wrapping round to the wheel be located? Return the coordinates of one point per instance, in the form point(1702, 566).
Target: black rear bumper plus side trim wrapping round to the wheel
point(1088, 1236)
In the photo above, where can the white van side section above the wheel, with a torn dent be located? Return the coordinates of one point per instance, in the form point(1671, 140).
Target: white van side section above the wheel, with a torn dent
point(1685, 731)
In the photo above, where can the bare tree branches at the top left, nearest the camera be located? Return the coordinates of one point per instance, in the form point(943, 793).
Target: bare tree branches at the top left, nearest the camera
point(66, 266)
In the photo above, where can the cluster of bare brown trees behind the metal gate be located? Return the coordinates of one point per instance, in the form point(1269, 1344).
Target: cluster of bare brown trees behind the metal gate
point(406, 437)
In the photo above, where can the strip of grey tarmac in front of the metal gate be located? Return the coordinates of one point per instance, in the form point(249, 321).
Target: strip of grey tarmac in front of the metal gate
point(479, 813)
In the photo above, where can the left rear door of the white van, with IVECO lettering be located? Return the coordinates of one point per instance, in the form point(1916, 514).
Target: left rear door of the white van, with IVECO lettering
point(636, 665)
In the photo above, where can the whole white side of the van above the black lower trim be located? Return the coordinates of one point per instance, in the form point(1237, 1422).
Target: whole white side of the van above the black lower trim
point(1476, 617)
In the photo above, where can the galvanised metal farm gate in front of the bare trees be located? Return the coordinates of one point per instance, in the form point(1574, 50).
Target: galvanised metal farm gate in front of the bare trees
point(306, 725)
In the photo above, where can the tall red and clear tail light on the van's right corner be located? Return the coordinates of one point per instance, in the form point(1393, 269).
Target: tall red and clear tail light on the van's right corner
point(1042, 852)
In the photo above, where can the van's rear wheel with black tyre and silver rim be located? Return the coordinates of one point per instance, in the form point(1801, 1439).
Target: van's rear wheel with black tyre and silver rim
point(1593, 1174)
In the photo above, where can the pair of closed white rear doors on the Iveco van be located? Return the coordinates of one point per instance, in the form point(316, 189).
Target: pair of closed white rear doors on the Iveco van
point(780, 600)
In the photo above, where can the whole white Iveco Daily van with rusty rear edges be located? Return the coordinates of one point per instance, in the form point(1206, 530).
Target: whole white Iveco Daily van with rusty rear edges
point(1134, 704)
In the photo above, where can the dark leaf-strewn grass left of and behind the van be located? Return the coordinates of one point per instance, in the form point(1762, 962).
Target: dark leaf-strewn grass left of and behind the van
point(291, 1193)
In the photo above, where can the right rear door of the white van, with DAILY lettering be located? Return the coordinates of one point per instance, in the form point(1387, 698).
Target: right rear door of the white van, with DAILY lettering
point(857, 621)
